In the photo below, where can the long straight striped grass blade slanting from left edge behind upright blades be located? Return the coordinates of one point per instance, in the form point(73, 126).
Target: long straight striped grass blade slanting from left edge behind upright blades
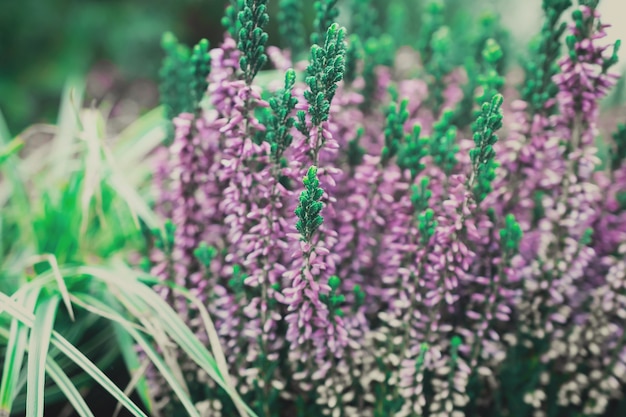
point(75, 355)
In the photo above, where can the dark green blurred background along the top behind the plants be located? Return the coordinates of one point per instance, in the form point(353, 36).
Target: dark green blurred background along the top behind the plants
point(114, 45)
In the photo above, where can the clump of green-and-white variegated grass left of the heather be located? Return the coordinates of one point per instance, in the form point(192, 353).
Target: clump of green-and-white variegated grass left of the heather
point(84, 212)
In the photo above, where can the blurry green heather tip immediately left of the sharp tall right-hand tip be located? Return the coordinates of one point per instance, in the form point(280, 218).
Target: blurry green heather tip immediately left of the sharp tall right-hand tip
point(442, 143)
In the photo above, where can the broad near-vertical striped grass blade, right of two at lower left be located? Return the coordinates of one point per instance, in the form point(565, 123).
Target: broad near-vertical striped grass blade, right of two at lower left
point(45, 315)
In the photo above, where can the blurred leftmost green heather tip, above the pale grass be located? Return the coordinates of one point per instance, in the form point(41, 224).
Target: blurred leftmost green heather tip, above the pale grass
point(175, 77)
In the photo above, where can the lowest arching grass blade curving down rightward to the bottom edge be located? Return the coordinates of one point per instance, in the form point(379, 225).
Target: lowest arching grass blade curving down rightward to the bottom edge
point(98, 307)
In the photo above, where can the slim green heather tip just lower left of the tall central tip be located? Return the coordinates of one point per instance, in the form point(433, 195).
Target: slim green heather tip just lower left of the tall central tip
point(280, 122)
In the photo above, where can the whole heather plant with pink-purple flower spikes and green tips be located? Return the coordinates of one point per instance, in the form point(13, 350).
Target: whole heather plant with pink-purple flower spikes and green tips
point(373, 241)
